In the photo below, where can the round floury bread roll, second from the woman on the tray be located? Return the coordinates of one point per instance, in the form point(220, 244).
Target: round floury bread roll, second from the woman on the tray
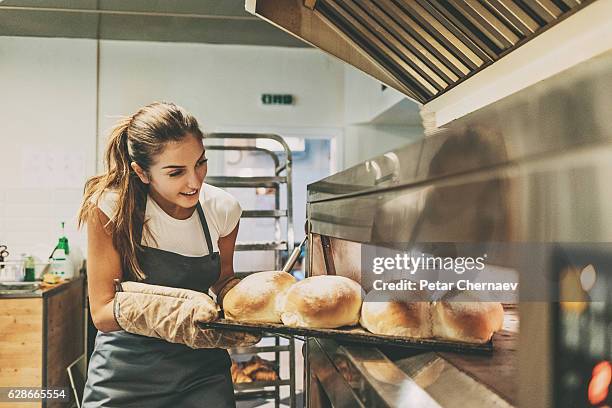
point(323, 301)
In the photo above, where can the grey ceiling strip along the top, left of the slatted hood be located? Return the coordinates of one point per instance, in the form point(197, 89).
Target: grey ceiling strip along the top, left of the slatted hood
point(194, 21)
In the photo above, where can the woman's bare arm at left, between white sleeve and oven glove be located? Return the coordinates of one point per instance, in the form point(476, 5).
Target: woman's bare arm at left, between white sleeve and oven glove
point(103, 266)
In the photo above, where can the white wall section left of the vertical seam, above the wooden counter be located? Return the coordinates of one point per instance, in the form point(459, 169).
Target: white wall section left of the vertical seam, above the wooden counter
point(47, 137)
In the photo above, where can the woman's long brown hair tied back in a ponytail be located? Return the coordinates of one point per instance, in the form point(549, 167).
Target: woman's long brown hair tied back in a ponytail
point(137, 138)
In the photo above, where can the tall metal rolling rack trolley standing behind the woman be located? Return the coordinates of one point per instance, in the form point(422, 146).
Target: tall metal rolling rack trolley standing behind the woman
point(282, 175)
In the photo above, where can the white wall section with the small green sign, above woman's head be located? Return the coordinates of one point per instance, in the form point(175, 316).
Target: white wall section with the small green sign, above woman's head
point(221, 85)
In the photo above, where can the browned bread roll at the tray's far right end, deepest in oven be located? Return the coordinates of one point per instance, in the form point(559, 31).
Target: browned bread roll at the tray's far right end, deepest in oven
point(472, 322)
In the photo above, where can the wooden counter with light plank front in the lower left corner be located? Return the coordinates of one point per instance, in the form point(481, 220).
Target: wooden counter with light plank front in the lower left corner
point(41, 333)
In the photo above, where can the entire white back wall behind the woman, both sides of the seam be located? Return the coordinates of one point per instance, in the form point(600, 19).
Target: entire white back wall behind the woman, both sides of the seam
point(52, 108)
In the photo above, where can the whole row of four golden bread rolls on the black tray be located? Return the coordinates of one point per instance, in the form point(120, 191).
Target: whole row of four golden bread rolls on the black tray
point(330, 301)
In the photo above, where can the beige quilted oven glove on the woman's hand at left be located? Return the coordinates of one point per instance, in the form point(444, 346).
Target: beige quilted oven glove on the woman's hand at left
point(171, 314)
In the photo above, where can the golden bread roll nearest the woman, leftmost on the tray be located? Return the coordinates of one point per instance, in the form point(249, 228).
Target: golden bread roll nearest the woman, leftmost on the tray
point(258, 297)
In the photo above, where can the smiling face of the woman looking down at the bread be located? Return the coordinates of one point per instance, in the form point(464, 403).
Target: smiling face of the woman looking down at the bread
point(176, 176)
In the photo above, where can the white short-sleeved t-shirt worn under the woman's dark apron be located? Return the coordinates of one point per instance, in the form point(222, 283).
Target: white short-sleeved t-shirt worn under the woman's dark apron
point(185, 237)
